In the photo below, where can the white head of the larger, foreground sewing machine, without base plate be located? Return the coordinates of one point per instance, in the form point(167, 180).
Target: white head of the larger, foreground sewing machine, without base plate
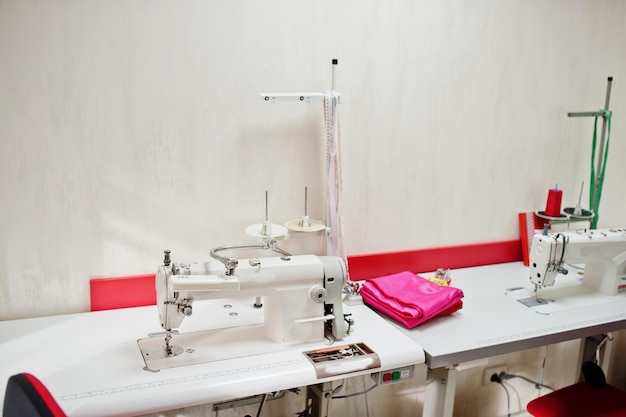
point(301, 295)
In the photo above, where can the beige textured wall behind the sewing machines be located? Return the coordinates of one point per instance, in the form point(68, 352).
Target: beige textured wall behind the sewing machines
point(129, 127)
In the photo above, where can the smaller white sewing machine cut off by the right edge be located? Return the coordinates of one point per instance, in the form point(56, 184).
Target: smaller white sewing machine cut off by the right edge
point(603, 251)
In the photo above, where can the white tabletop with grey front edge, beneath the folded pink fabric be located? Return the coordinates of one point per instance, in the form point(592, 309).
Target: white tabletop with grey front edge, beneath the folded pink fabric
point(493, 322)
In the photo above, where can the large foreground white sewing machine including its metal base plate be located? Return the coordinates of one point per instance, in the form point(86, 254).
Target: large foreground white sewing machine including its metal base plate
point(298, 297)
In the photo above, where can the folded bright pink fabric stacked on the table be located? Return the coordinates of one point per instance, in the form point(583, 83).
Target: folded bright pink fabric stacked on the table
point(409, 298)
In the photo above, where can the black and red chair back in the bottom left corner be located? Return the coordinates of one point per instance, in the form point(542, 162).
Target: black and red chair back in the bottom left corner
point(26, 396)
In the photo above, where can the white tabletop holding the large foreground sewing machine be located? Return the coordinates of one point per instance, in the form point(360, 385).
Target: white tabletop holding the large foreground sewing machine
point(92, 364)
